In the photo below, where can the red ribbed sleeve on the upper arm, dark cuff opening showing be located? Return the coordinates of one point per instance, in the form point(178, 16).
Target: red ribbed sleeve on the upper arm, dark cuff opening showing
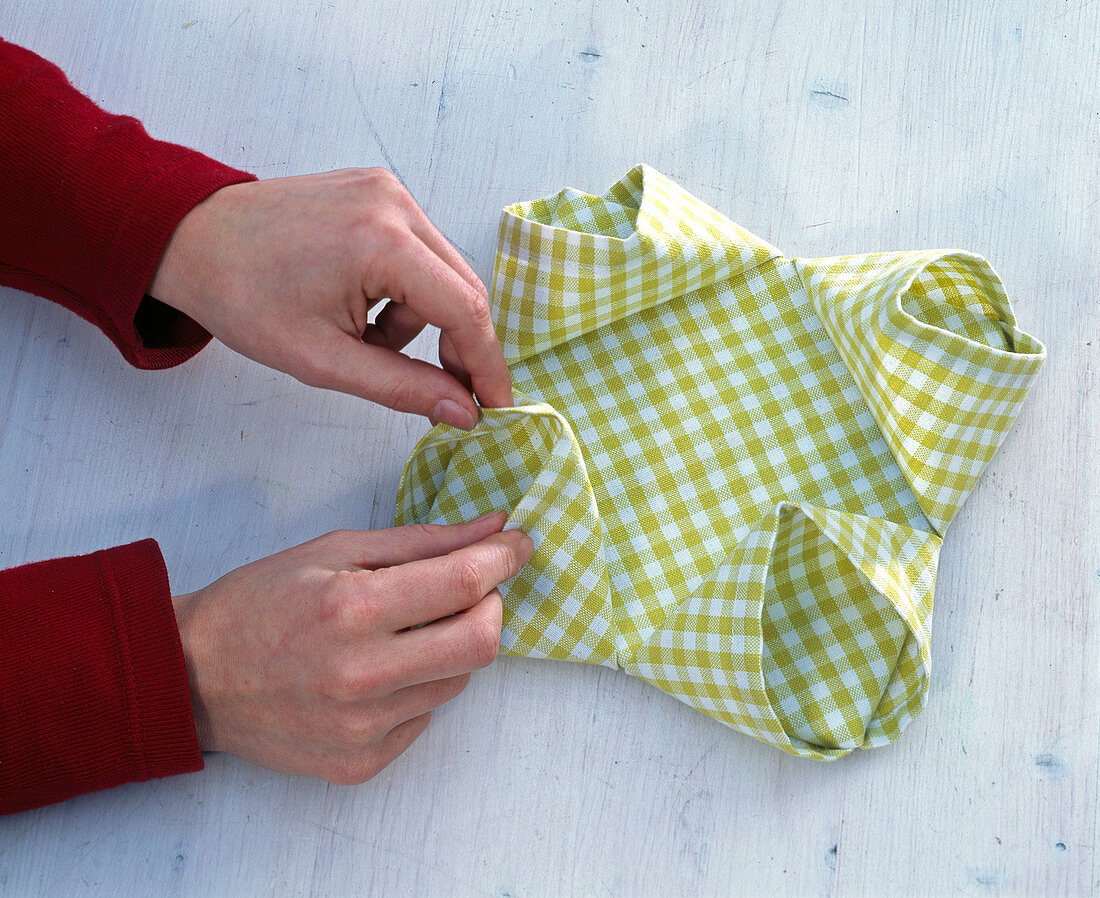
point(89, 202)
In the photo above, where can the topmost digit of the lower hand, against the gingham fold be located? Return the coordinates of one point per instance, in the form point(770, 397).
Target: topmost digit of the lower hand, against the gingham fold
point(372, 550)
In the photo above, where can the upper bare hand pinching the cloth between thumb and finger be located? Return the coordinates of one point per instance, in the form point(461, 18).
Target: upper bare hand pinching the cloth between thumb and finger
point(285, 272)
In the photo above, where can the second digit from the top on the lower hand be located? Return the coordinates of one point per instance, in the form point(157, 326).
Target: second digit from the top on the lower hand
point(436, 588)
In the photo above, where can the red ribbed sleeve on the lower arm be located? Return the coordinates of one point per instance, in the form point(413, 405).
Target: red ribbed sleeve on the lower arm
point(93, 684)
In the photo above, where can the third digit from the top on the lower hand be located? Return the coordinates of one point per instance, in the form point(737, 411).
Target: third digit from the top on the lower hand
point(456, 645)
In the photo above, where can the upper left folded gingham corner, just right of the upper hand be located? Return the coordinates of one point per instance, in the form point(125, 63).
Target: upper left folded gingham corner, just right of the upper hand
point(575, 262)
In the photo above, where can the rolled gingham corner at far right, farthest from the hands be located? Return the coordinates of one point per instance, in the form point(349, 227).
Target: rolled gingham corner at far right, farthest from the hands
point(933, 344)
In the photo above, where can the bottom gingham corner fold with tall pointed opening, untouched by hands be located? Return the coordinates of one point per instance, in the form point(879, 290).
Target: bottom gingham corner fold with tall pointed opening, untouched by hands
point(813, 634)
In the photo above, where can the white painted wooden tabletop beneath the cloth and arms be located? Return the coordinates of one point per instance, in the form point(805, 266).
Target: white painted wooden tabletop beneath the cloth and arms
point(826, 128)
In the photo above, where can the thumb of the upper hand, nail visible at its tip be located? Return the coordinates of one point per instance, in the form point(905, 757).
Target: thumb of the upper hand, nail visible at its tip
point(371, 373)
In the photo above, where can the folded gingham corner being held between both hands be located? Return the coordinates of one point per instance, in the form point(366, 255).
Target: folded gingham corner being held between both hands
point(527, 462)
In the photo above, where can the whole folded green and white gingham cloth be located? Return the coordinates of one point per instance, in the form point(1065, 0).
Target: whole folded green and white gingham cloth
point(736, 467)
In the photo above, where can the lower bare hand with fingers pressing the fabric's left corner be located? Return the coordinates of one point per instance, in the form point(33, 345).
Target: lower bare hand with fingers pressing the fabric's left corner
point(313, 661)
